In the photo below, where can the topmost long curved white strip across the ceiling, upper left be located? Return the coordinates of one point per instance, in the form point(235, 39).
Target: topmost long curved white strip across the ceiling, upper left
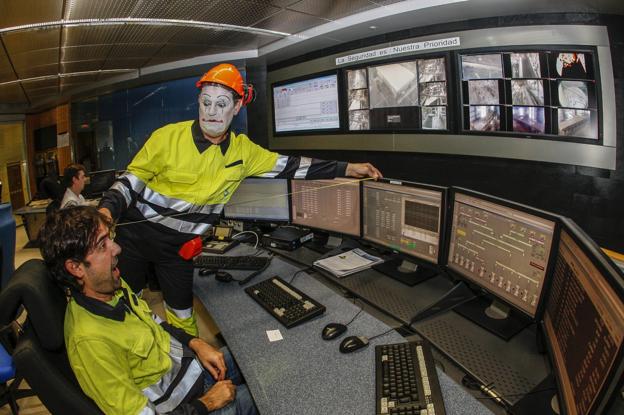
point(142, 21)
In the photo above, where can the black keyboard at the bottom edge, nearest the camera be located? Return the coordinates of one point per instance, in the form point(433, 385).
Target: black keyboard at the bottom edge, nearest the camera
point(406, 381)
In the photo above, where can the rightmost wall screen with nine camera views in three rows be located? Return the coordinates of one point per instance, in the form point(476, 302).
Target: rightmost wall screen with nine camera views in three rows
point(535, 93)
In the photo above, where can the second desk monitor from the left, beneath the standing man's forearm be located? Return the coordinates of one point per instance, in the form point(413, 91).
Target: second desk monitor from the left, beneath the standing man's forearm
point(328, 205)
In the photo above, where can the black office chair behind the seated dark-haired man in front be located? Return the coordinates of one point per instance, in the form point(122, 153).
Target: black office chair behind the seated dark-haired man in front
point(40, 355)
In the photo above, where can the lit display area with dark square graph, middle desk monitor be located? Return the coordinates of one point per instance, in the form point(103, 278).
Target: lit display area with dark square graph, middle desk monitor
point(403, 218)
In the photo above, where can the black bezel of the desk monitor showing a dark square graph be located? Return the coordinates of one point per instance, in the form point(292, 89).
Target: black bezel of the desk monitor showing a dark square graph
point(443, 219)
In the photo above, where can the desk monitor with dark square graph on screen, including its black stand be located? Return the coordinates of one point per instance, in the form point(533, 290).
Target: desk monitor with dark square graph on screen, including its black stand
point(408, 219)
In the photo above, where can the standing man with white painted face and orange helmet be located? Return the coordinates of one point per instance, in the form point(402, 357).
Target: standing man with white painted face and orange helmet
point(177, 184)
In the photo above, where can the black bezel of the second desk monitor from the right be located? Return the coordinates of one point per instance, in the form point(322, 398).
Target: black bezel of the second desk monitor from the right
point(539, 310)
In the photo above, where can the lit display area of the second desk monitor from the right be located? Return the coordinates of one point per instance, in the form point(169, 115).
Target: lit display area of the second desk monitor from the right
point(502, 249)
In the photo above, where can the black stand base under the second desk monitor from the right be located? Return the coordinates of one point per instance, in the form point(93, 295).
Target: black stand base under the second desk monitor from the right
point(494, 316)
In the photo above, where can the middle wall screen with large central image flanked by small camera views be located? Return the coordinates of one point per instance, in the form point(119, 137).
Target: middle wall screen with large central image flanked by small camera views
point(390, 96)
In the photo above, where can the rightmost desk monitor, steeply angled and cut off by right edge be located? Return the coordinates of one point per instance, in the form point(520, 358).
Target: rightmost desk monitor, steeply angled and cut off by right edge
point(584, 324)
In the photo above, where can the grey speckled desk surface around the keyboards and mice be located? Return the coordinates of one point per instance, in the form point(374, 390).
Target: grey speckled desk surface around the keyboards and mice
point(303, 374)
